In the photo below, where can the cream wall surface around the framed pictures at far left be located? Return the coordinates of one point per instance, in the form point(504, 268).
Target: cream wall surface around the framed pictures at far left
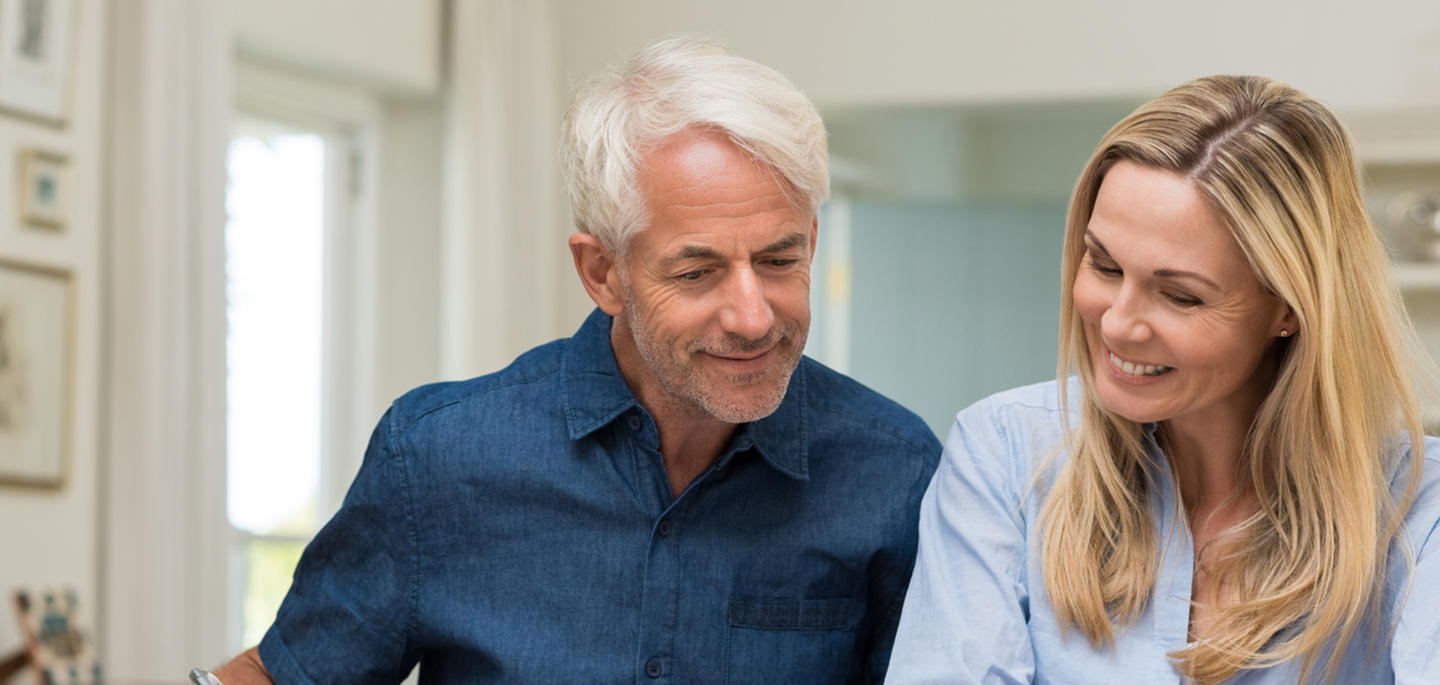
point(50, 536)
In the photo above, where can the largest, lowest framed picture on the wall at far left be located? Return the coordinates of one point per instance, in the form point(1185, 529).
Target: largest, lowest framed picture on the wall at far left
point(37, 373)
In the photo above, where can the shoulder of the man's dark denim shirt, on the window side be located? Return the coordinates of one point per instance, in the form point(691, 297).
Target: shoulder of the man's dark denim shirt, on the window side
point(539, 366)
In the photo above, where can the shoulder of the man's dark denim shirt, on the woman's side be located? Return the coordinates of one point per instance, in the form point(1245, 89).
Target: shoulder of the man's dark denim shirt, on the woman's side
point(858, 408)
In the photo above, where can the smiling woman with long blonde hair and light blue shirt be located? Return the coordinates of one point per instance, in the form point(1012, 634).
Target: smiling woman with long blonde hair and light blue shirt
point(1228, 490)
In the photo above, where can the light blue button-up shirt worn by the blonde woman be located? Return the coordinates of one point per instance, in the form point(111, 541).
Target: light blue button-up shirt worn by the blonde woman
point(977, 609)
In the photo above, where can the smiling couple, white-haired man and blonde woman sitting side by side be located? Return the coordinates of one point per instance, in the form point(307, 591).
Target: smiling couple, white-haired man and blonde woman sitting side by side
point(1222, 487)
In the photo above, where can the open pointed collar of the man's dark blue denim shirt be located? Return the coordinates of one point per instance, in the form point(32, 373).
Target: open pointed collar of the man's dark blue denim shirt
point(595, 395)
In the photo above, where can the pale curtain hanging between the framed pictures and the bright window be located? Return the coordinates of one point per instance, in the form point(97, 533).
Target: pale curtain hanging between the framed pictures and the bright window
point(163, 497)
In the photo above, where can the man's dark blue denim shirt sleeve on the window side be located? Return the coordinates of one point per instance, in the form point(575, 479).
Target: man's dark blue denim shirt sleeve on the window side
point(352, 604)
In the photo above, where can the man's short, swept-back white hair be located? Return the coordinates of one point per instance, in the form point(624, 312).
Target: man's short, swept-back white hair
point(672, 86)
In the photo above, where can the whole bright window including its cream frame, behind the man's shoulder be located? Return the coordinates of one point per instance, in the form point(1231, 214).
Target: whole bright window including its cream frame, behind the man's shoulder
point(299, 271)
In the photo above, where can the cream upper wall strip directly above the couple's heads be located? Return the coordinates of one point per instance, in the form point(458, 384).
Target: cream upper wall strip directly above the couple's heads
point(1353, 54)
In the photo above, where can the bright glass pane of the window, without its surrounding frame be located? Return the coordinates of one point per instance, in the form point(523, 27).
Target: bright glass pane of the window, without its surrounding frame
point(274, 245)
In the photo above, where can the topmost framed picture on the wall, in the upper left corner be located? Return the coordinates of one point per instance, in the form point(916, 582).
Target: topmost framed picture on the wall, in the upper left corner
point(35, 58)
